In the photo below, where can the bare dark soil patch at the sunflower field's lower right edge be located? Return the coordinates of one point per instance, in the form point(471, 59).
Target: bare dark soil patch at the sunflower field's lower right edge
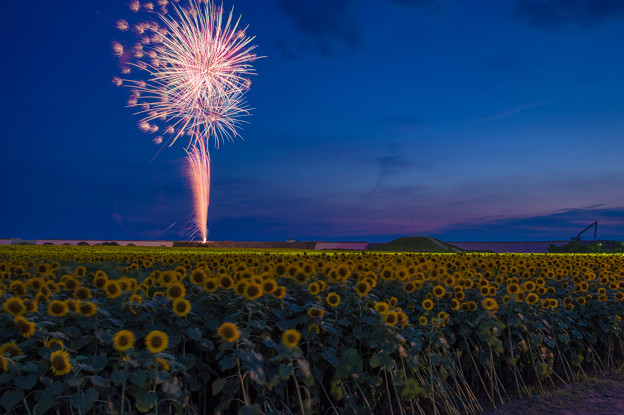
point(603, 395)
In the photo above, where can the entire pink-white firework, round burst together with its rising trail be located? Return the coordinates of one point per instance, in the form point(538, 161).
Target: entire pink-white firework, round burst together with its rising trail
point(187, 72)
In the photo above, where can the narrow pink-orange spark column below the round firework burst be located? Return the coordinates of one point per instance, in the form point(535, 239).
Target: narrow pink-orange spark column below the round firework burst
point(199, 175)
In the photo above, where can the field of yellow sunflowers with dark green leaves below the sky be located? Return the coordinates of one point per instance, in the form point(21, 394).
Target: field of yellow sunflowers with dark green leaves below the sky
point(130, 330)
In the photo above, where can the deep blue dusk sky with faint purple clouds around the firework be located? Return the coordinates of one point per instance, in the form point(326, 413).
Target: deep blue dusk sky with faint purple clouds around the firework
point(464, 120)
